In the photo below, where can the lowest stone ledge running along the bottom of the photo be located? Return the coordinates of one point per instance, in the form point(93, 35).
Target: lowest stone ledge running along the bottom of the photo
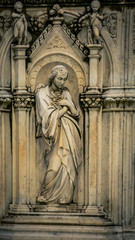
point(49, 232)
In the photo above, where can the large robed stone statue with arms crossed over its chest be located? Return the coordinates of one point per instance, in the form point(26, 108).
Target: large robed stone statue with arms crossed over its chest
point(57, 114)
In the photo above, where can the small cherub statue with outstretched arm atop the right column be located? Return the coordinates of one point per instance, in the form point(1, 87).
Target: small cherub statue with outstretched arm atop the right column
point(94, 25)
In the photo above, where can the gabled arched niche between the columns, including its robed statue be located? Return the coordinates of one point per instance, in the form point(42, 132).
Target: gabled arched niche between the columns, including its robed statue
point(57, 75)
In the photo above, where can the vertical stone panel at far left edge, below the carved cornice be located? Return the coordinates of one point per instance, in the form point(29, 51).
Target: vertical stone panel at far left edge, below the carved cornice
point(5, 161)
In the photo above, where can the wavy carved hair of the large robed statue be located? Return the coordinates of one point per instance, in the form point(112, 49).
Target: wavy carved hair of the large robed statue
point(58, 68)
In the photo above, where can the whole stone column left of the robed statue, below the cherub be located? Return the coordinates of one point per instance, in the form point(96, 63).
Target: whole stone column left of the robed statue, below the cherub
point(20, 130)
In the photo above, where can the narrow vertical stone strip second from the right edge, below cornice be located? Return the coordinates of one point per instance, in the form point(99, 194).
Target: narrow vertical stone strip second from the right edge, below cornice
point(117, 167)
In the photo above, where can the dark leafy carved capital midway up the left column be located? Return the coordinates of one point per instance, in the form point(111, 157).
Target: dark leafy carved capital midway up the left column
point(21, 102)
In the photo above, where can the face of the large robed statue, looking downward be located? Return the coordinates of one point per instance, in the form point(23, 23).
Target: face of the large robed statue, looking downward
point(59, 80)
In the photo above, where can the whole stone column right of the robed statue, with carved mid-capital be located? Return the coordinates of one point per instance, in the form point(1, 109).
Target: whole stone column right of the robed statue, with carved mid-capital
point(91, 102)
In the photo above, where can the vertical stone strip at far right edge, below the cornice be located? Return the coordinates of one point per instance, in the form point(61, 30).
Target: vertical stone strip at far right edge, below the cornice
point(128, 168)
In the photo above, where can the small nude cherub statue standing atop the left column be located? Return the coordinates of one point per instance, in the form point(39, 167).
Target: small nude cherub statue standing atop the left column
point(20, 24)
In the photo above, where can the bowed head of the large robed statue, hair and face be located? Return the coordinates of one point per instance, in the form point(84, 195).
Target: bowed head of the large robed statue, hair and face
point(59, 73)
